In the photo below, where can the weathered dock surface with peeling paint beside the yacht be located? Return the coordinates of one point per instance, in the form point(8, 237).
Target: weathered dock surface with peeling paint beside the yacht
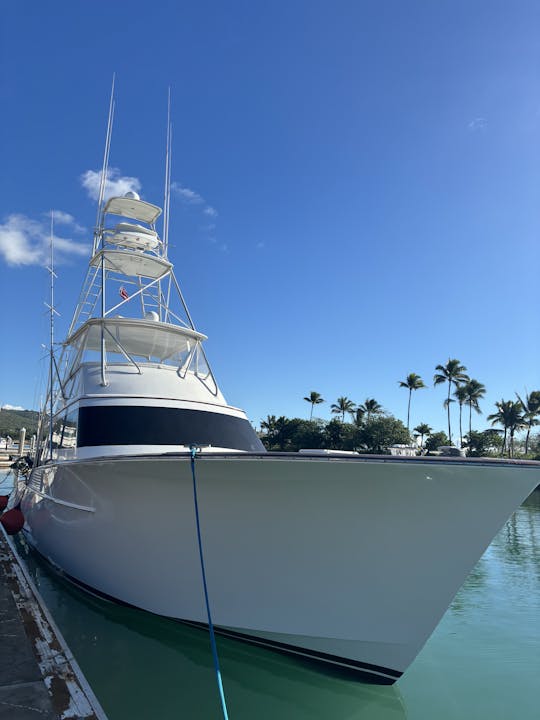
point(39, 677)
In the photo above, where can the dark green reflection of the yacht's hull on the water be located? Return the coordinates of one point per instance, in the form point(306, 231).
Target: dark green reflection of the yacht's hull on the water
point(144, 666)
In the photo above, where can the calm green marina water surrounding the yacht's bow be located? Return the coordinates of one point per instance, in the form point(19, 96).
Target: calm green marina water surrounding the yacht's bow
point(483, 661)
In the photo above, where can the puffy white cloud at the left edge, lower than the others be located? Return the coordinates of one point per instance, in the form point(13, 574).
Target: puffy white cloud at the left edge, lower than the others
point(24, 241)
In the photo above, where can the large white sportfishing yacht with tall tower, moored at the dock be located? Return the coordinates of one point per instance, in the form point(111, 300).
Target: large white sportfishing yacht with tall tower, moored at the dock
point(347, 559)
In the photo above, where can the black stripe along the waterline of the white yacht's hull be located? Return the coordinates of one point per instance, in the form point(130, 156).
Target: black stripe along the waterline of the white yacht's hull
point(365, 672)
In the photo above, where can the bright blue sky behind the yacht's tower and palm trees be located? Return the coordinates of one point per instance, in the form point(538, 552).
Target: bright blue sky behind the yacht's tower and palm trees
point(358, 186)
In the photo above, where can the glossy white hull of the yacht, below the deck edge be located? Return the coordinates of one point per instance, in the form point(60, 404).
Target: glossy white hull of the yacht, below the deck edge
point(350, 560)
